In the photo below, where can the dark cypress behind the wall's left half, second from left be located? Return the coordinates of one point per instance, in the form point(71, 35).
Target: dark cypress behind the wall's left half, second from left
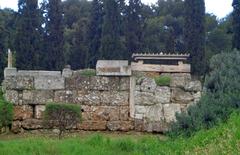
point(54, 35)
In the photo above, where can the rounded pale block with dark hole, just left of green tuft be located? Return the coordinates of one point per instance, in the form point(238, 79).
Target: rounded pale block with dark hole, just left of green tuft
point(148, 85)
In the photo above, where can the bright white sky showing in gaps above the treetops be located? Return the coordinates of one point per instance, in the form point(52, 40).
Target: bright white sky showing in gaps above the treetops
point(218, 7)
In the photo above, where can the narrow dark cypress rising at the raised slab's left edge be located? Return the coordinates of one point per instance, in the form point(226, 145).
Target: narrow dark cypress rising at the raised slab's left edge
point(95, 32)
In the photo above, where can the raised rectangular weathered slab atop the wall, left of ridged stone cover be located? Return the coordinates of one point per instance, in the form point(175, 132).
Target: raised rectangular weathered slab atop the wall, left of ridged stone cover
point(113, 68)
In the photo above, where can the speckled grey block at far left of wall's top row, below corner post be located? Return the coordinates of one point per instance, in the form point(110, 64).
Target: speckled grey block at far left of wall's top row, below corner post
point(18, 83)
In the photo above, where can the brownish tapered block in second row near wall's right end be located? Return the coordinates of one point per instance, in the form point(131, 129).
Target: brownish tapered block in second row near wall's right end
point(180, 96)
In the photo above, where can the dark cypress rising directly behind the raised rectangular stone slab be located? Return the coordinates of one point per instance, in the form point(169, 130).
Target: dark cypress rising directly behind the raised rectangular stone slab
point(111, 46)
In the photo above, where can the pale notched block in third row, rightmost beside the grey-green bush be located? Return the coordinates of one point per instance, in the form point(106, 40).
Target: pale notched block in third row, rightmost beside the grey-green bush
point(170, 110)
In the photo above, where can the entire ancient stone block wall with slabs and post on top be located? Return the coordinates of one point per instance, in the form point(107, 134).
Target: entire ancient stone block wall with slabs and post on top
point(120, 97)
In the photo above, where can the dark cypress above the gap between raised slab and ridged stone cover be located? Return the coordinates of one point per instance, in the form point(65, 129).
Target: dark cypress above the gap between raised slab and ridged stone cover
point(134, 27)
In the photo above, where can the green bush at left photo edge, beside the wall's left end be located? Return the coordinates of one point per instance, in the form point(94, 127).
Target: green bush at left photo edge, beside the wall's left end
point(6, 113)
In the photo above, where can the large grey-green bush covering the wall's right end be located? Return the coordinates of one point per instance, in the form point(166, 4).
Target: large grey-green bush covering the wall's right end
point(222, 96)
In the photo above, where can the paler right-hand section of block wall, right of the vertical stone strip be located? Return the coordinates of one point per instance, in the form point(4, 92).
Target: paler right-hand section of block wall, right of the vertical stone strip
point(155, 106)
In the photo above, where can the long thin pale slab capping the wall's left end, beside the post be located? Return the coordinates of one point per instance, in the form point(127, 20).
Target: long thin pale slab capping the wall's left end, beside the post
point(39, 73)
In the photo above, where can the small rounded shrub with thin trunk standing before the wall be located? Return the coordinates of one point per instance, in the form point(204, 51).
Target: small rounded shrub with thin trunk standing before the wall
point(61, 115)
